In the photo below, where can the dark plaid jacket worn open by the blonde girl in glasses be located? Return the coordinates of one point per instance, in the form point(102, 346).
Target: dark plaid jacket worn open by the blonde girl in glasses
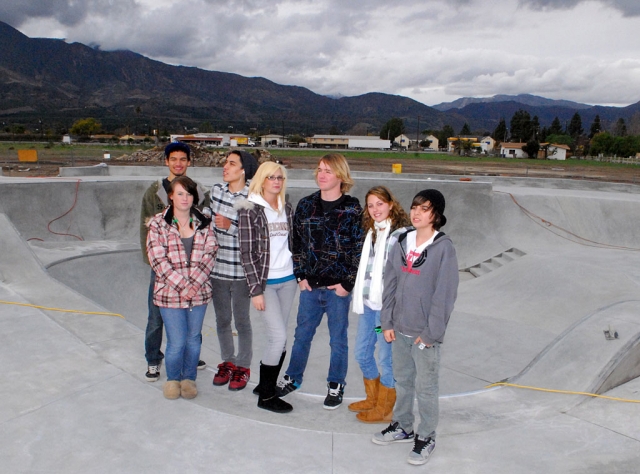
point(253, 237)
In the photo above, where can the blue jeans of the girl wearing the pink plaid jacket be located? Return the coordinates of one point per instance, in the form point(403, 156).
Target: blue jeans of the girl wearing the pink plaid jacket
point(184, 328)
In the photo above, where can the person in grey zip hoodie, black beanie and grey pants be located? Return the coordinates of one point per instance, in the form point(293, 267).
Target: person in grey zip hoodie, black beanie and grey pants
point(420, 289)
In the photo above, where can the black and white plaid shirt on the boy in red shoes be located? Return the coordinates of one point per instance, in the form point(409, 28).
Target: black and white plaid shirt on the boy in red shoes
point(228, 266)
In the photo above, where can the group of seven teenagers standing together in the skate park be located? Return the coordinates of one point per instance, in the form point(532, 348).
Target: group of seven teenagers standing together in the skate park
point(242, 244)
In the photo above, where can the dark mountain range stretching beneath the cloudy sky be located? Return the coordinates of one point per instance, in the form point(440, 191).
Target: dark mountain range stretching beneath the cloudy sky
point(53, 83)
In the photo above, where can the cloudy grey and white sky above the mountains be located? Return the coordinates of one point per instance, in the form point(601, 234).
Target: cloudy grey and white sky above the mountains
point(430, 50)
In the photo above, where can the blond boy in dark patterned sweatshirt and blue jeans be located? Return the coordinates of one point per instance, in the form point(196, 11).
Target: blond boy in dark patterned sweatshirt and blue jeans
point(327, 242)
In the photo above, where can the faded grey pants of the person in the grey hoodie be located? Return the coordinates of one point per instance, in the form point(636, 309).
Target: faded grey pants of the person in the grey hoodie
point(416, 372)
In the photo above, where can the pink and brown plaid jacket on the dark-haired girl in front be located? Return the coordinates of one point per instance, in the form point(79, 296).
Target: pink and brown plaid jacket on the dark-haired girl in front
point(176, 274)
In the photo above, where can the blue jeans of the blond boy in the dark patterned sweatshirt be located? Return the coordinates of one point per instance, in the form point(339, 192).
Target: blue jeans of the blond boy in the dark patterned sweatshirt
point(313, 304)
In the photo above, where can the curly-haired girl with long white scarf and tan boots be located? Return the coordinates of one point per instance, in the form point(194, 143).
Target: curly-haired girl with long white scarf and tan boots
point(383, 220)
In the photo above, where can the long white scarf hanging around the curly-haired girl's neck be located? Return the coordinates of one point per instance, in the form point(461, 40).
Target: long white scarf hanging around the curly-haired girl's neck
point(375, 291)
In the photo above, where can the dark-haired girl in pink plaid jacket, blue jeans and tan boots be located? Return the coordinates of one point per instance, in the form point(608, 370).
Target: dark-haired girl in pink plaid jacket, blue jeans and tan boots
point(182, 246)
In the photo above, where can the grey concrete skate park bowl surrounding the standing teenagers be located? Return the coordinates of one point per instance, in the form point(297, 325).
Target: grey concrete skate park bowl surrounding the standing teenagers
point(547, 266)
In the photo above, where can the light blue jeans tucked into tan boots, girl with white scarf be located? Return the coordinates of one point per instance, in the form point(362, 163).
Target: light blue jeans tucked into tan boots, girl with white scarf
point(366, 339)
